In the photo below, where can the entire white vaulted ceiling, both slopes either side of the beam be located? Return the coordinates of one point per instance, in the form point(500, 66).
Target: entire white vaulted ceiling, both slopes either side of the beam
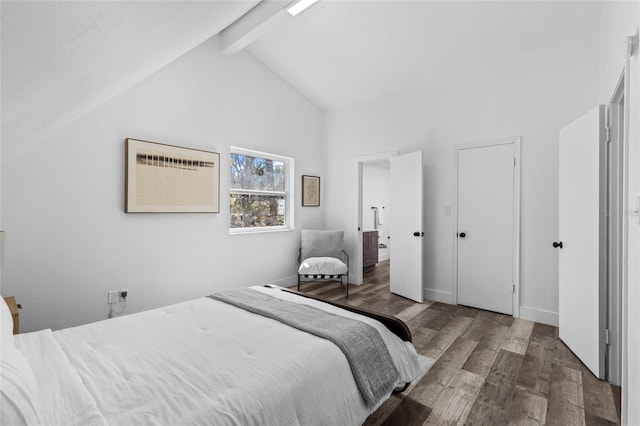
point(62, 59)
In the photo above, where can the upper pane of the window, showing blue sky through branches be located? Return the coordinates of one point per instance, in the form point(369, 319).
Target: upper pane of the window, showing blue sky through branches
point(257, 173)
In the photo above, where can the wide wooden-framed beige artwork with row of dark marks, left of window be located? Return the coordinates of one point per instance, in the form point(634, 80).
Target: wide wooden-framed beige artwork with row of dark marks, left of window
point(163, 178)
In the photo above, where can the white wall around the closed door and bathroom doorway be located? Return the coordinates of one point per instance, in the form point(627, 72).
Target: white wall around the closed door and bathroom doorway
point(532, 95)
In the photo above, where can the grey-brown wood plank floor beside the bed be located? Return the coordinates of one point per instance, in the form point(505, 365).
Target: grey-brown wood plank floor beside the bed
point(490, 369)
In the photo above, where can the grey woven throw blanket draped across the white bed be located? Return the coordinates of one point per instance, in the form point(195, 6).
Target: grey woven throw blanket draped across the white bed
point(361, 343)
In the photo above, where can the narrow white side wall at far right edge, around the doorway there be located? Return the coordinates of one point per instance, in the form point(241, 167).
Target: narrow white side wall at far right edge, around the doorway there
point(619, 20)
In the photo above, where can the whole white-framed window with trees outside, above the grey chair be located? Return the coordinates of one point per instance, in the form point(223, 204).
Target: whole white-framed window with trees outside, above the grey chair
point(260, 192)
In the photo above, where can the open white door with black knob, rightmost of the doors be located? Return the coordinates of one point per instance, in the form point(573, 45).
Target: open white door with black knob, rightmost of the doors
point(581, 220)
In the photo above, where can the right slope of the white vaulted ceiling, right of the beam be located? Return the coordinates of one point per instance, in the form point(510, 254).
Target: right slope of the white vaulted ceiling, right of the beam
point(340, 52)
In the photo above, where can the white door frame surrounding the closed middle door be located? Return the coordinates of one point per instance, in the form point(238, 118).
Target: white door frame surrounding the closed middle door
point(516, 141)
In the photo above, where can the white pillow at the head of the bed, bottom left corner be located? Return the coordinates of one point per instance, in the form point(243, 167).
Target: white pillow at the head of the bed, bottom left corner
point(17, 388)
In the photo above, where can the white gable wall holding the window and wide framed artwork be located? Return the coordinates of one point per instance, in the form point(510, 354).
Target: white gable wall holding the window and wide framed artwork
point(70, 241)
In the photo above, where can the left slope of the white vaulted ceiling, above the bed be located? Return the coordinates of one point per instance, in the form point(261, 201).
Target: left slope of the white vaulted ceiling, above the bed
point(61, 59)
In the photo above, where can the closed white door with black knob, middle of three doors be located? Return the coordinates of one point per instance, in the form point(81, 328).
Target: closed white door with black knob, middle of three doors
point(485, 227)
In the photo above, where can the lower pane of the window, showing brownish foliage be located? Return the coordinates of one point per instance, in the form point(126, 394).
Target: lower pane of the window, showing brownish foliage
point(250, 211)
